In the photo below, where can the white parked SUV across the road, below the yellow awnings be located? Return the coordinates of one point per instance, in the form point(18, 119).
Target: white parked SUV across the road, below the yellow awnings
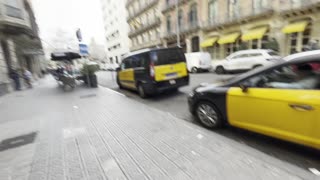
point(245, 60)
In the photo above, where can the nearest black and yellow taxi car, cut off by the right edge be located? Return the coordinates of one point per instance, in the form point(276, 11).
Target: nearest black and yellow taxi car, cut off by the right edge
point(281, 100)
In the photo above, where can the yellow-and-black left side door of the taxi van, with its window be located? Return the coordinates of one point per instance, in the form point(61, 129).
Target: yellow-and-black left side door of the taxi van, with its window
point(126, 74)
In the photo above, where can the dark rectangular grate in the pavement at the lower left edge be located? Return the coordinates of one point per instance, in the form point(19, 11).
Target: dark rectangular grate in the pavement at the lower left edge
point(17, 141)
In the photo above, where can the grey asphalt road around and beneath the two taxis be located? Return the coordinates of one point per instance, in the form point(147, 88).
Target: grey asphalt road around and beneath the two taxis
point(176, 104)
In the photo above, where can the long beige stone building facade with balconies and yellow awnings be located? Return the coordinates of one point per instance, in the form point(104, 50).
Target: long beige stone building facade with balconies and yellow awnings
point(222, 27)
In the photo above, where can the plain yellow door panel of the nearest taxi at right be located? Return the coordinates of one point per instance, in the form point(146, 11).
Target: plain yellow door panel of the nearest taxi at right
point(289, 114)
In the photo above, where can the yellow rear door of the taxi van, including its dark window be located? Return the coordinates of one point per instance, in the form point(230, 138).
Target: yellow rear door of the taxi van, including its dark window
point(169, 64)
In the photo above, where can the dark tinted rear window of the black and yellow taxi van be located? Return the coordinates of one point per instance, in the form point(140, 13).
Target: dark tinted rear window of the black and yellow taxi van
point(168, 56)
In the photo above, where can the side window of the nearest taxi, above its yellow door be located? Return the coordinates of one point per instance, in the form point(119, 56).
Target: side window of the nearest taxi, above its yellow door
point(294, 76)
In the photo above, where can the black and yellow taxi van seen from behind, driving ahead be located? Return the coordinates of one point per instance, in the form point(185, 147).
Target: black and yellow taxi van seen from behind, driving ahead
point(151, 71)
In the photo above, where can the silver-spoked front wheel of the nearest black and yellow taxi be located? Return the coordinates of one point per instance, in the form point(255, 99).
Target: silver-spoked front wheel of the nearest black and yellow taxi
point(208, 115)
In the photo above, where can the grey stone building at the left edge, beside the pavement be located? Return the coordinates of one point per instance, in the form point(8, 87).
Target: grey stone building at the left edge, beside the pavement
point(20, 45)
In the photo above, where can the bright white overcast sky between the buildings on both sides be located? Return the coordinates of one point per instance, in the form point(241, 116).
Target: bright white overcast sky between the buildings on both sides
point(68, 16)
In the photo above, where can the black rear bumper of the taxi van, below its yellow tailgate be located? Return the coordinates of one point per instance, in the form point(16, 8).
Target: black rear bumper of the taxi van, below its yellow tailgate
point(158, 87)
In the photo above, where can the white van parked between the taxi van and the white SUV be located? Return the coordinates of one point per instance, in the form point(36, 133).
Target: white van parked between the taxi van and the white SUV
point(198, 61)
